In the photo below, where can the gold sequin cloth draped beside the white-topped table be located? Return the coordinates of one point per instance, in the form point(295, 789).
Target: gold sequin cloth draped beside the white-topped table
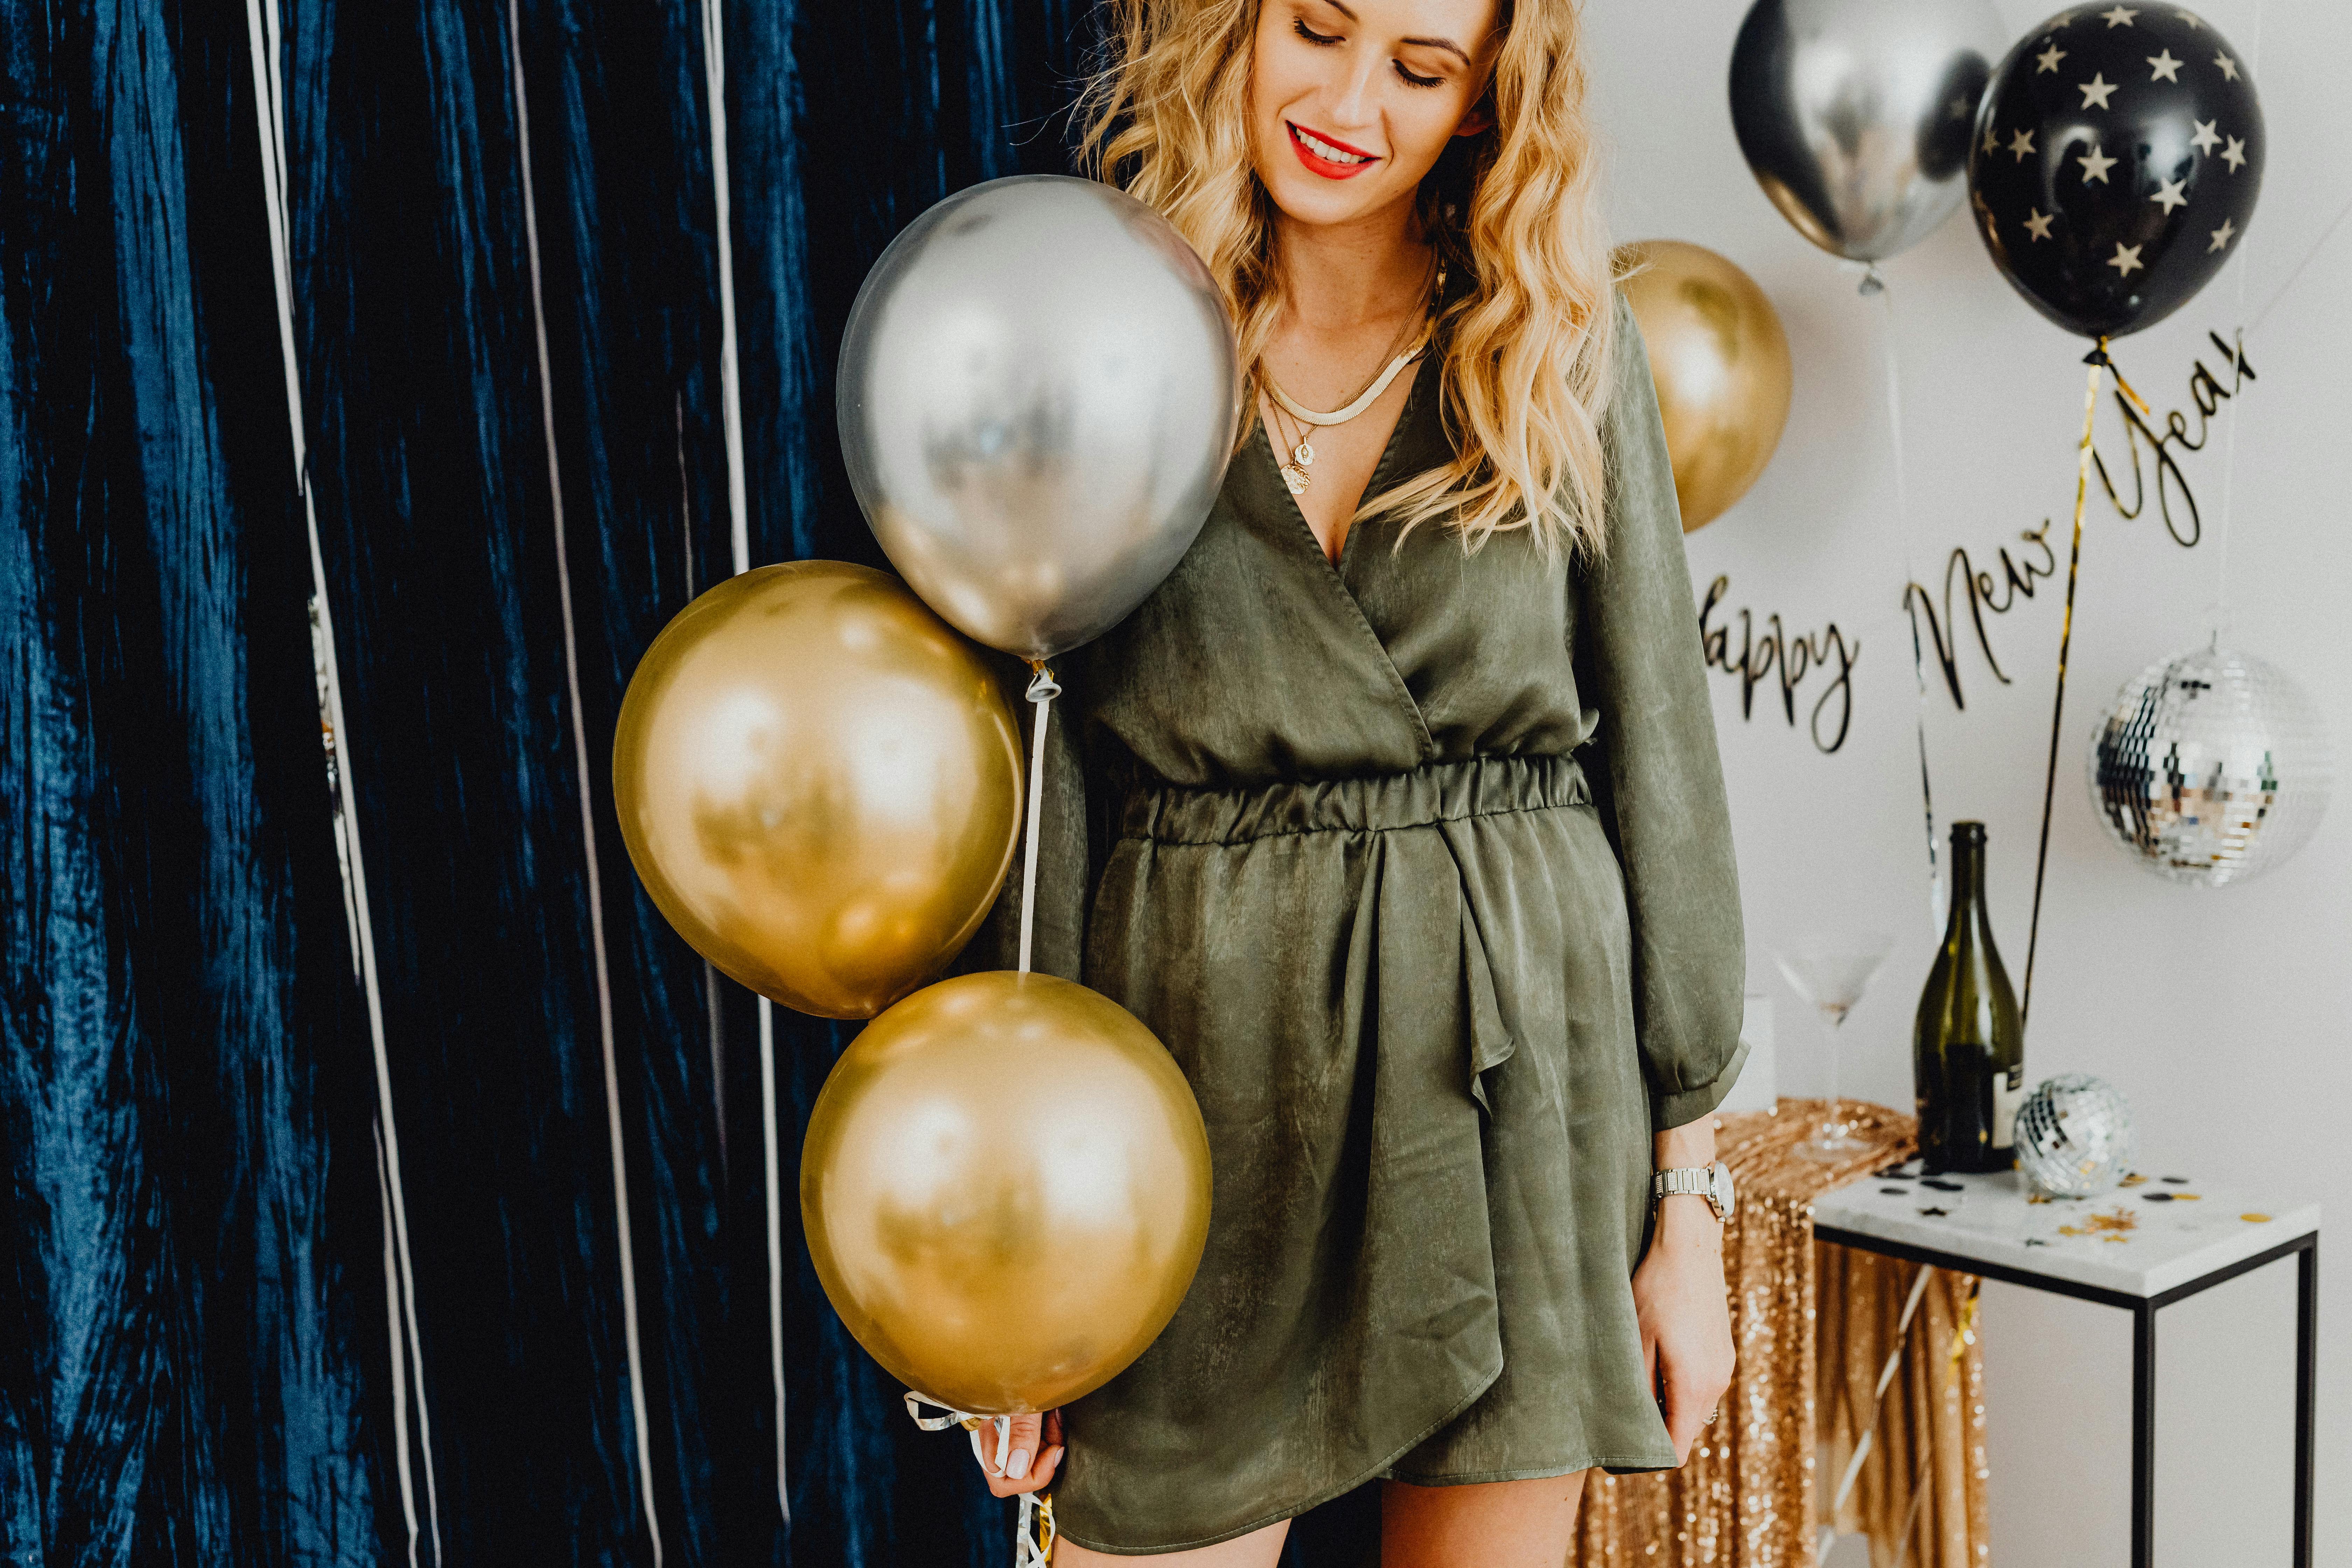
point(1815, 1329)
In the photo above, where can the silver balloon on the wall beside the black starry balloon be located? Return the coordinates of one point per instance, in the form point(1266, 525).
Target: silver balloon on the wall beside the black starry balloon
point(1857, 114)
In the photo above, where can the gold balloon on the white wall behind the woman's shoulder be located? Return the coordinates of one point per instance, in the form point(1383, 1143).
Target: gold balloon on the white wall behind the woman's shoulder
point(1720, 363)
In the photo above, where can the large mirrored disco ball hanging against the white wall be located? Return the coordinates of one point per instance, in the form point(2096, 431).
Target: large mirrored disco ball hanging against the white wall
point(2212, 768)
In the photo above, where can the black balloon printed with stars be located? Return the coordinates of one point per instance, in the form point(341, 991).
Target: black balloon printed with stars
point(2116, 163)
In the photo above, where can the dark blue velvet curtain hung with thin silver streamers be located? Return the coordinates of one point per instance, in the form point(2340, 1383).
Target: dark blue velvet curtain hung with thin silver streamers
point(220, 1343)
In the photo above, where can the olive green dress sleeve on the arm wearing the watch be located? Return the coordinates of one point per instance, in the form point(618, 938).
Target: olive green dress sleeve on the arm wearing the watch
point(1662, 784)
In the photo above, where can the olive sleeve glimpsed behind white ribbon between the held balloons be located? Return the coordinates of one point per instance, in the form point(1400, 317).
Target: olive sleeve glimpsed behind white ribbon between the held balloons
point(1064, 864)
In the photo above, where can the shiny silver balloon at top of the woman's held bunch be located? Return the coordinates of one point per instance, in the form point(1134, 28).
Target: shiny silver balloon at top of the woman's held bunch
point(1038, 396)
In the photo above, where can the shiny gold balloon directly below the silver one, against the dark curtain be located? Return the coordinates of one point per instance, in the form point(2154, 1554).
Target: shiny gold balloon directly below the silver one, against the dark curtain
point(820, 784)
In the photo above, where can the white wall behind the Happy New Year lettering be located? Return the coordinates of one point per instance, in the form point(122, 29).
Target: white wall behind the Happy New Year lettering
point(2224, 1014)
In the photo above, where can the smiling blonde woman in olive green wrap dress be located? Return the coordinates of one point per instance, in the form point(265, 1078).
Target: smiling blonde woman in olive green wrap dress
point(1396, 815)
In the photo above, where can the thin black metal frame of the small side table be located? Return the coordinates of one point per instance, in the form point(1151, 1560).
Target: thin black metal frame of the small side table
point(2144, 1360)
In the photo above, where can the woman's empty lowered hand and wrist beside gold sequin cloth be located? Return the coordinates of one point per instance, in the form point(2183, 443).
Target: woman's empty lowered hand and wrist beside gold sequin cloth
point(1681, 1296)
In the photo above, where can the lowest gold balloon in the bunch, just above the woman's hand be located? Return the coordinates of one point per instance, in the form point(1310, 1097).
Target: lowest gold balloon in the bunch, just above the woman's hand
point(1005, 1191)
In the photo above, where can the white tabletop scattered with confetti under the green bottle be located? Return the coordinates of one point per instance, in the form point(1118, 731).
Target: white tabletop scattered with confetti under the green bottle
point(2163, 1231)
